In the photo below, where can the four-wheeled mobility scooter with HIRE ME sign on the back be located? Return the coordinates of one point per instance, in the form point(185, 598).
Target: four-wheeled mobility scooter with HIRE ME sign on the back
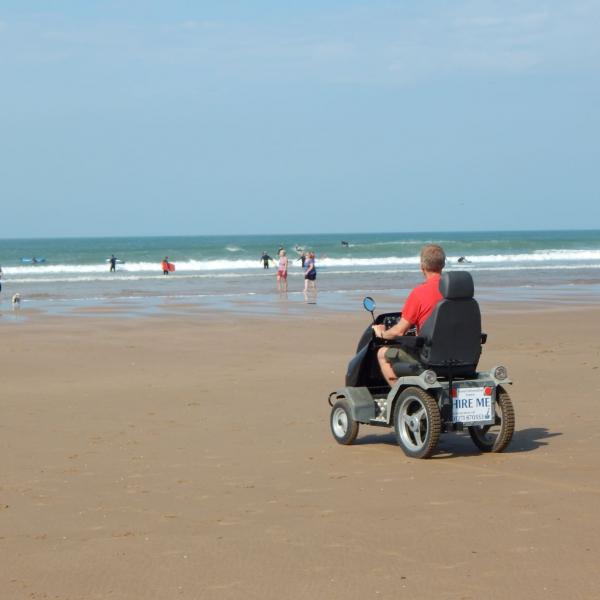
point(440, 391)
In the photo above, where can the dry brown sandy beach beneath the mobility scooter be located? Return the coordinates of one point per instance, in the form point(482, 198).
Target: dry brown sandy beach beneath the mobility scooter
point(190, 457)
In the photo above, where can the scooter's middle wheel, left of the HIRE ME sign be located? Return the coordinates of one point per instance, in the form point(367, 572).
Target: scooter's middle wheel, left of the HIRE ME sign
point(417, 422)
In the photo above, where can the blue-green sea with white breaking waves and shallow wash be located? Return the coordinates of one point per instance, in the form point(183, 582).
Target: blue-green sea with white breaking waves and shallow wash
point(72, 275)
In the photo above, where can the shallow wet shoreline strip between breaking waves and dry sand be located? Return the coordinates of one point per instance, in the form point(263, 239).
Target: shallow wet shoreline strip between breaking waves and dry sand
point(493, 299)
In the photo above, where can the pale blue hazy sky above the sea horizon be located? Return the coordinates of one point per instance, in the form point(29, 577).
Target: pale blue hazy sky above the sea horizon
point(130, 117)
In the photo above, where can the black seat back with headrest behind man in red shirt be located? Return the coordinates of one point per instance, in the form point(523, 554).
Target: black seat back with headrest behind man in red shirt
point(453, 330)
